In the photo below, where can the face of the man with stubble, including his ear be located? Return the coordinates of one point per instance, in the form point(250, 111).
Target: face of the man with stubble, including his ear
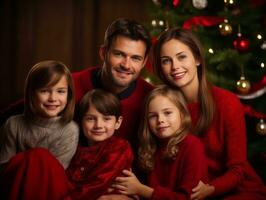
point(123, 62)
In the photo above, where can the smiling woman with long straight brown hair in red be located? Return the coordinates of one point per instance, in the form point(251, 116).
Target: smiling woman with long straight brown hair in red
point(217, 117)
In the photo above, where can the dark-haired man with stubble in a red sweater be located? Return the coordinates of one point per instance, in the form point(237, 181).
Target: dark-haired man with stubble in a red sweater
point(124, 54)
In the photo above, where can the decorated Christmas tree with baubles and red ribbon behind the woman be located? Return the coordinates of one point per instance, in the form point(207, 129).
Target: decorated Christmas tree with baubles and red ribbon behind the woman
point(233, 34)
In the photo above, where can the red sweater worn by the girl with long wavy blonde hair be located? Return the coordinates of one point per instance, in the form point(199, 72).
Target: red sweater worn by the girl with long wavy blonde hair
point(174, 179)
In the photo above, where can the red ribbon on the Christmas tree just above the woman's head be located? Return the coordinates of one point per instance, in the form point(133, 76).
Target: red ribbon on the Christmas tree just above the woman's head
point(203, 21)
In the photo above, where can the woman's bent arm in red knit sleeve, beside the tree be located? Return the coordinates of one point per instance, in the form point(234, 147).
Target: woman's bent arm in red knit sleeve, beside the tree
point(234, 134)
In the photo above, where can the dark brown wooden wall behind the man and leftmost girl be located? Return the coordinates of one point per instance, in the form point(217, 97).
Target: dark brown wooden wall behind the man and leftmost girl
point(66, 30)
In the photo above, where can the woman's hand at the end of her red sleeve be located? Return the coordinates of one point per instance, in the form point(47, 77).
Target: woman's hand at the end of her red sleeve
point(201, 191)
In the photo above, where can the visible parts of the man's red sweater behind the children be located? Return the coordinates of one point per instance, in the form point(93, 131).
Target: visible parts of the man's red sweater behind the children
point(131, 106)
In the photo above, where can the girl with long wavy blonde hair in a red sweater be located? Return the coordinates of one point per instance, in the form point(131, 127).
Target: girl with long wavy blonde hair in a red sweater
point(174, 159)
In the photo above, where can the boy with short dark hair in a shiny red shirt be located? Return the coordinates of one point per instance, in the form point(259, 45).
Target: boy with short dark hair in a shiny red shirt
point(100, 156)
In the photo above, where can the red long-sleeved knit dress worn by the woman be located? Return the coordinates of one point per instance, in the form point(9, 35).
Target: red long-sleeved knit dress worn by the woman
point(225, 146)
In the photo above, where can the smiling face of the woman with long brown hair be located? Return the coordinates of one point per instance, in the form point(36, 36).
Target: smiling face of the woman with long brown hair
point(179, 65)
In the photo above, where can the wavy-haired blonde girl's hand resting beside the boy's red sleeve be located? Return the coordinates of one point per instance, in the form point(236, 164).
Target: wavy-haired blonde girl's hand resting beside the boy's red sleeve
point(128, 185)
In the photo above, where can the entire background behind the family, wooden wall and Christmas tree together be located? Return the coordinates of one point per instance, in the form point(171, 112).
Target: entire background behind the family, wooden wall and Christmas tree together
point(233, 33)
